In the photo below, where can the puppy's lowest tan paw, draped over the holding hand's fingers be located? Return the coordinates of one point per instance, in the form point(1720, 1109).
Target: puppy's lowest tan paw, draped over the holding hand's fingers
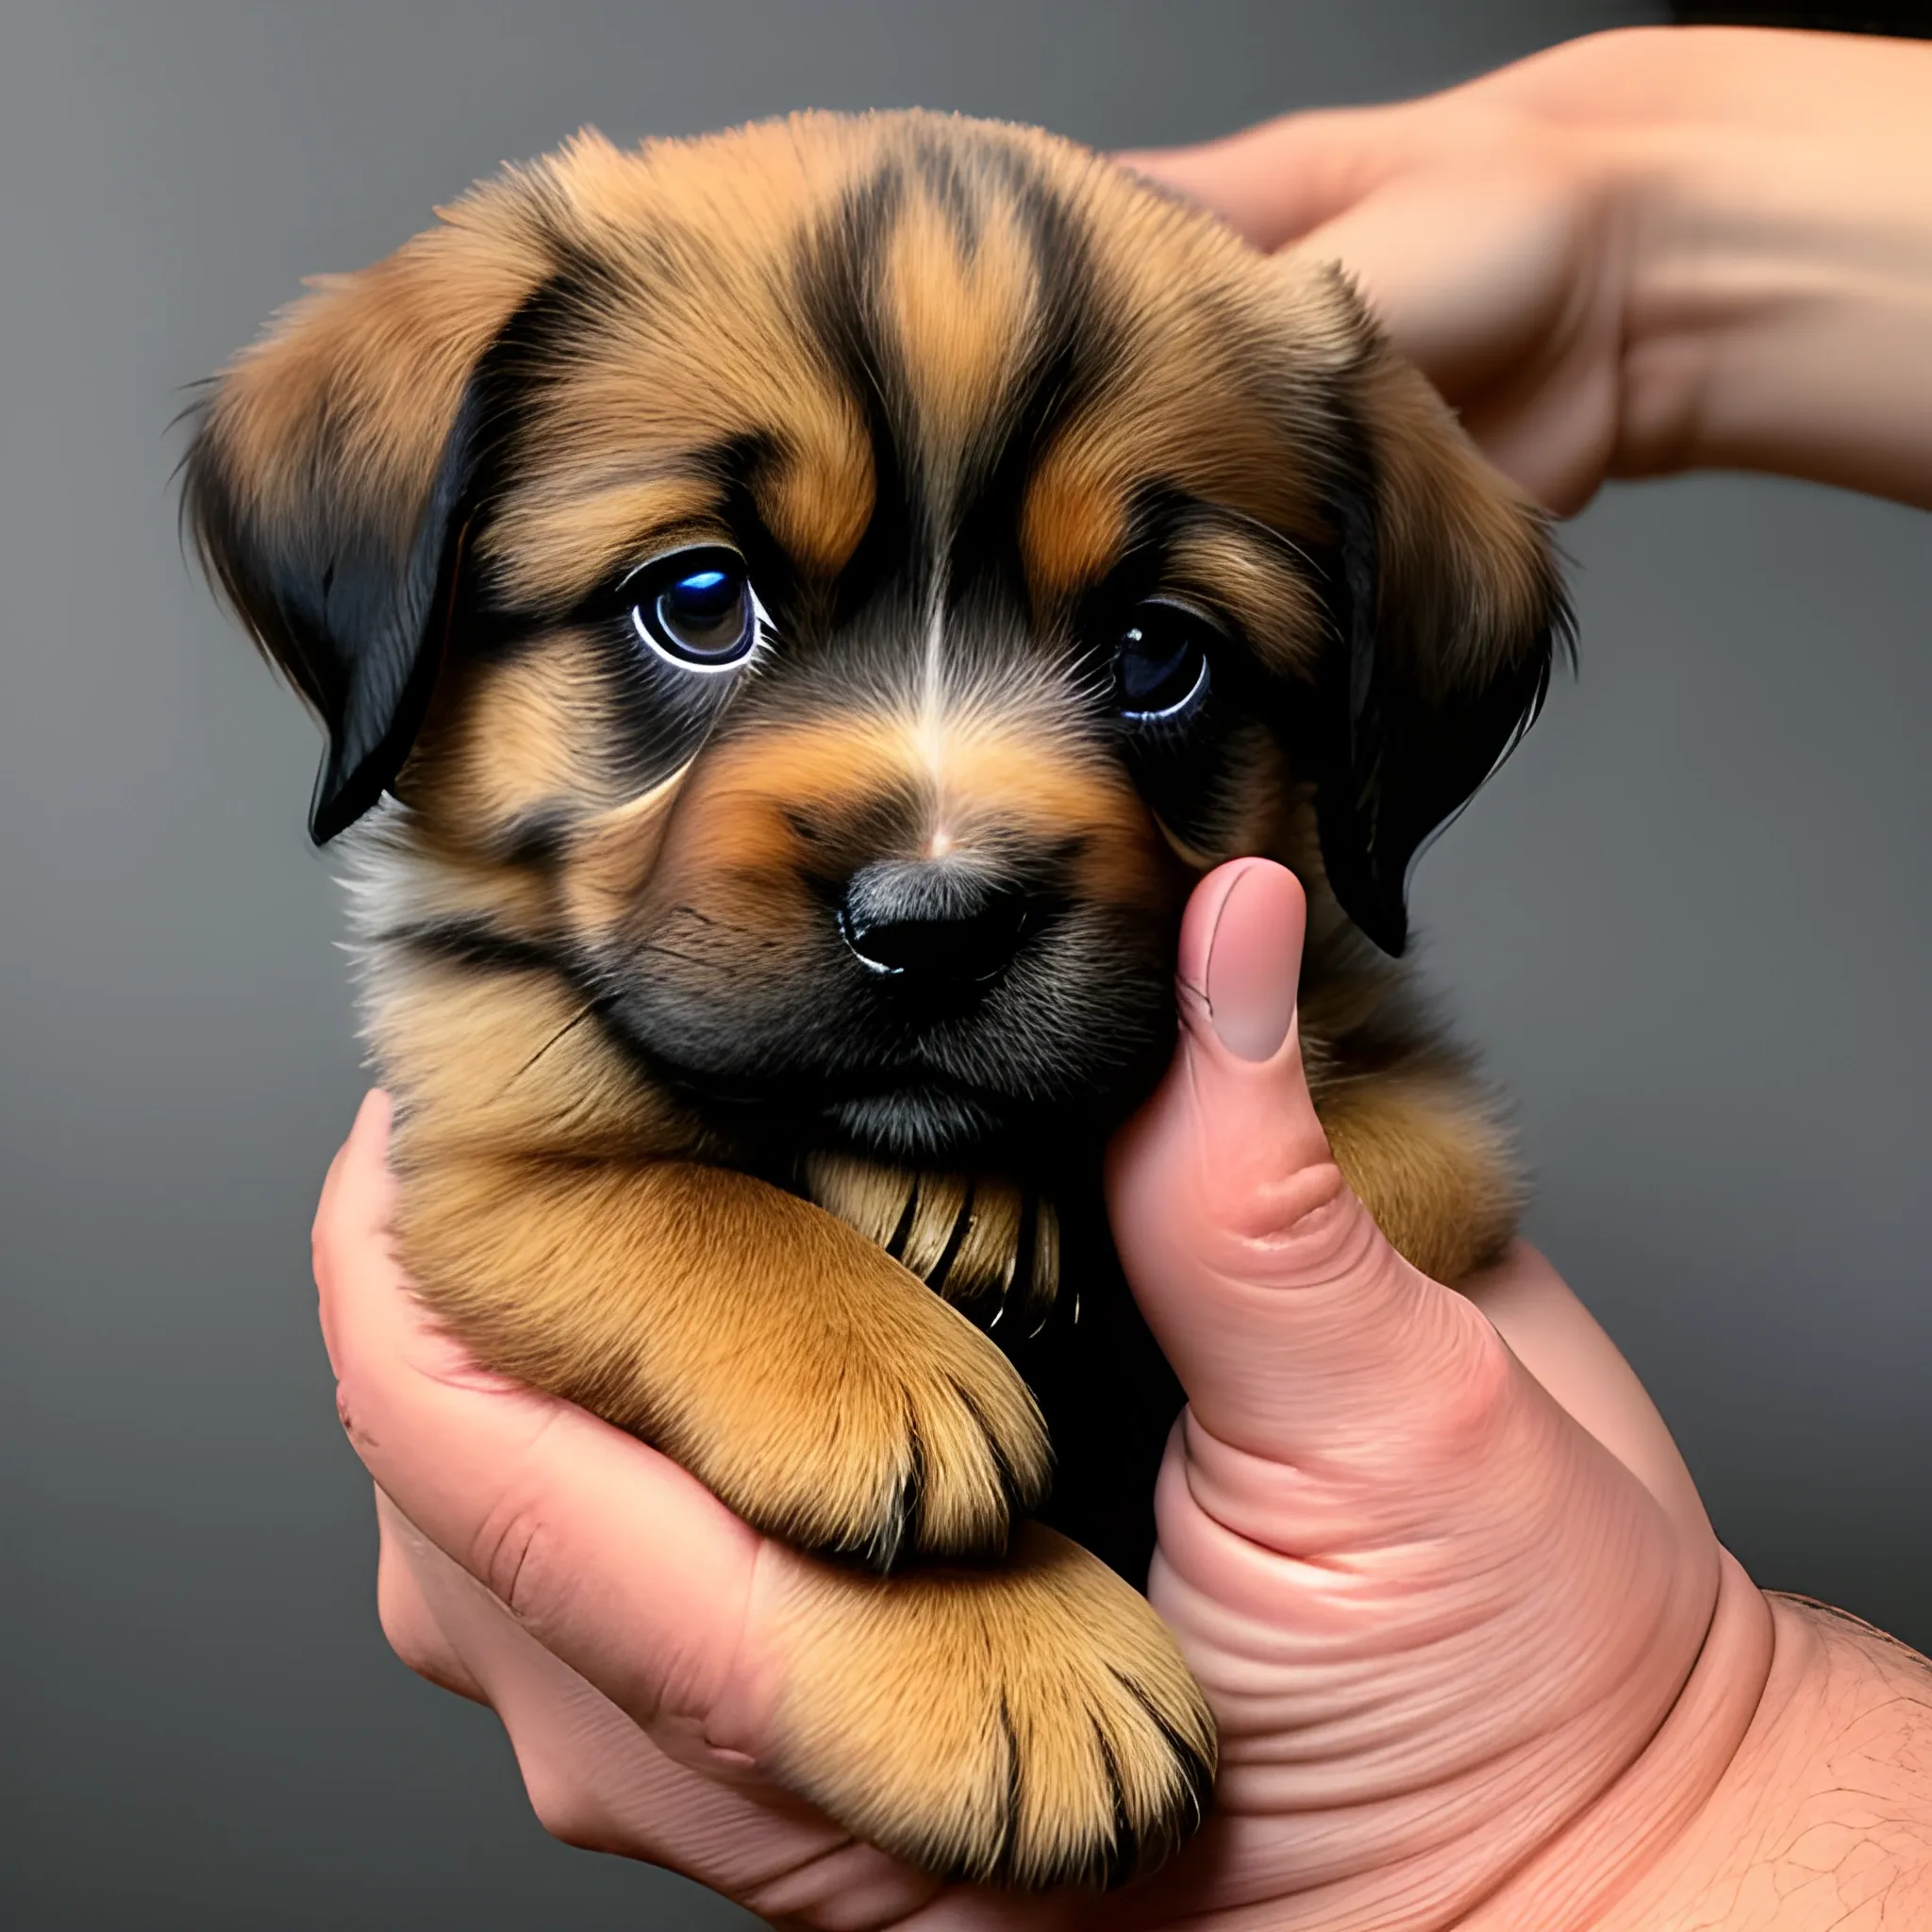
point(1031, 1726)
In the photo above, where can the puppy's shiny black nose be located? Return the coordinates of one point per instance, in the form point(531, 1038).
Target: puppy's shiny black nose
point(934, 923)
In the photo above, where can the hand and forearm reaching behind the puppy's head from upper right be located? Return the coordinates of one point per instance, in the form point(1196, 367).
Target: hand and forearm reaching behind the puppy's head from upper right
point(1639, 252)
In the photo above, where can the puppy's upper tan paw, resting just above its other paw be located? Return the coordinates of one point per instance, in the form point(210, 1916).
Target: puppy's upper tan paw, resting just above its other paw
point(888, 1431)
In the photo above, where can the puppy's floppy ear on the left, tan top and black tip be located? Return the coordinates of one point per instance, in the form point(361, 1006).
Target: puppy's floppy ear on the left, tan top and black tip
point(329, 476)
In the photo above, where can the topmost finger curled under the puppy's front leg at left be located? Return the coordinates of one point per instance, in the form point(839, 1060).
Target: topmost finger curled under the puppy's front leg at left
point(606, 1550)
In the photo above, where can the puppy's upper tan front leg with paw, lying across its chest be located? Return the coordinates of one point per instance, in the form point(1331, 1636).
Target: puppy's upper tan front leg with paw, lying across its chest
point(803, 1375)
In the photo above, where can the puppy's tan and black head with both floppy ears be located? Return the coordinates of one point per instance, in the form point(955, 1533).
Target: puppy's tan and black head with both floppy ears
point(845, 581)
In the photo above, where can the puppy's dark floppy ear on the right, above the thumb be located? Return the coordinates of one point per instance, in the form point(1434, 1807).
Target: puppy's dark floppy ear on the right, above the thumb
point(1450, 611)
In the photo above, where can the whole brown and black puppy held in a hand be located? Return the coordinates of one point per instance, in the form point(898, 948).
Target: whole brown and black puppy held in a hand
point(793, 615)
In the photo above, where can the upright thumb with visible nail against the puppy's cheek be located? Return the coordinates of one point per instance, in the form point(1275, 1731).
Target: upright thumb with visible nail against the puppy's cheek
point(1295, 1328)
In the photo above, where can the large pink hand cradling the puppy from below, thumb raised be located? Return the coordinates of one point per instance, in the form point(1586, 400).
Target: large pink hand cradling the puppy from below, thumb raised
point(1475, 1653)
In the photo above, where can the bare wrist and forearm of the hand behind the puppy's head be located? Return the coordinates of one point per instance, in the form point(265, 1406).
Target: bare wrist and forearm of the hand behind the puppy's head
point(1775, 196)
